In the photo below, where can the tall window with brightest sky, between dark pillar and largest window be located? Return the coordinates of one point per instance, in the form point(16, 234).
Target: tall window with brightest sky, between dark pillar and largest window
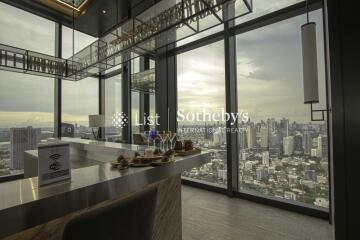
point(201, 89)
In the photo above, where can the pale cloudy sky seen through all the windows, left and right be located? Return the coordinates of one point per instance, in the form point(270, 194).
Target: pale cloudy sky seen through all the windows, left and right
point(269, 72)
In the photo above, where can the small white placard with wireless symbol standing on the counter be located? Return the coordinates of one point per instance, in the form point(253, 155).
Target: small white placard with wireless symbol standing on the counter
point(54, 163)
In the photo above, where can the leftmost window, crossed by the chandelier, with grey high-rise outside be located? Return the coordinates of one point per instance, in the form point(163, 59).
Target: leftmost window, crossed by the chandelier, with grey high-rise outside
point(26, 101)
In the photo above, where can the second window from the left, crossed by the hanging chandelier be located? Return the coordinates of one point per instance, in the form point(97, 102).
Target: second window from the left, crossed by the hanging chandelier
point(81, 98)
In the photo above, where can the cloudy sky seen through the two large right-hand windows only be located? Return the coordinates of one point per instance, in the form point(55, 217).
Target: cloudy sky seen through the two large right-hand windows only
point(269, 73)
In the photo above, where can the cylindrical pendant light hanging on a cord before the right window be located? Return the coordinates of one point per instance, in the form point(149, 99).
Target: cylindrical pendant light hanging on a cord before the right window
point(310, 68)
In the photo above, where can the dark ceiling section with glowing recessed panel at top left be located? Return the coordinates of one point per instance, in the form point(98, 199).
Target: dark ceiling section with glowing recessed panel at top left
point(98, 18)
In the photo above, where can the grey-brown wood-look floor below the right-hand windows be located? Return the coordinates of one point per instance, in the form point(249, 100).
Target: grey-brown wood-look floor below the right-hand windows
point(212, 216)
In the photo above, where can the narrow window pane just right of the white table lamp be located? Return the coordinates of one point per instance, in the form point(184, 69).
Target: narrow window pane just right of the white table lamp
point(113, 107)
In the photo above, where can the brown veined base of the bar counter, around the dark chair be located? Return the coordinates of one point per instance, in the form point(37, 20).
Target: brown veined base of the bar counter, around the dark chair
point(167, 224)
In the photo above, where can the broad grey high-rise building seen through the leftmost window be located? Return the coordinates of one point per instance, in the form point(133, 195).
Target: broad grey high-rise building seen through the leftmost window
point(22, 139)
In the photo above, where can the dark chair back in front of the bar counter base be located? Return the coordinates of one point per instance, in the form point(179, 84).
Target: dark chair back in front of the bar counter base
point(131, 218)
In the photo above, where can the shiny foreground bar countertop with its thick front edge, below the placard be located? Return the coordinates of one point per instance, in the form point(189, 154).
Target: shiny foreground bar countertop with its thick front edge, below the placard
point(60, 199)
